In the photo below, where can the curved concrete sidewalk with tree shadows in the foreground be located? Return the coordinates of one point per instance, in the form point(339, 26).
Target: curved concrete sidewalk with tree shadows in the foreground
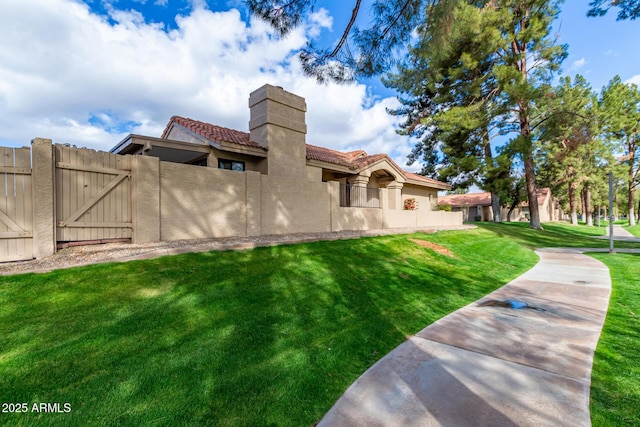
point(492, 365)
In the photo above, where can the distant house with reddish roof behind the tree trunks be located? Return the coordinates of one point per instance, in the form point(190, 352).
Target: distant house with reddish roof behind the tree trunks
point(477, 207)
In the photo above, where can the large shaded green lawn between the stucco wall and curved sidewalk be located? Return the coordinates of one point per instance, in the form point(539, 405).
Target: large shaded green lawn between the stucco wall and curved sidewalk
point(270, 336)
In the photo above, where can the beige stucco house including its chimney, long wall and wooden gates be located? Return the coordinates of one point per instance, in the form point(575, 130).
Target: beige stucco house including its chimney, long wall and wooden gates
point(199, 180)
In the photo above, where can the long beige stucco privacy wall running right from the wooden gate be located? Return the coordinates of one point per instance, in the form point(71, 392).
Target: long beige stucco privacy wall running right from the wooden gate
point(198, 202)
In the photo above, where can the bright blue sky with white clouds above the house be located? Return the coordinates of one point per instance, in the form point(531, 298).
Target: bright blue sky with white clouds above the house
point(90, 72)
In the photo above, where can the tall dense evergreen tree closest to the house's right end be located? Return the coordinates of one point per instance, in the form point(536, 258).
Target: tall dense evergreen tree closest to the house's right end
point(450, 99)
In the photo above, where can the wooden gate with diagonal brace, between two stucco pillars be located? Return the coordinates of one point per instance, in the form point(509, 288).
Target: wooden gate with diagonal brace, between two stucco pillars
point(93, 195)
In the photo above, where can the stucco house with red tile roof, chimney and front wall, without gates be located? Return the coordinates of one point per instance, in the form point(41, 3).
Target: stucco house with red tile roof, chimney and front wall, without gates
point(296, 181)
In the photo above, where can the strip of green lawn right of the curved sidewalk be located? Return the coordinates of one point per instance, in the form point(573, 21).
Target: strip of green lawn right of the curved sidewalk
point(615, 381)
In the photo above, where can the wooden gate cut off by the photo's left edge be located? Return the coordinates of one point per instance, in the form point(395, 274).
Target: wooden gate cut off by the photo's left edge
point(16, 213)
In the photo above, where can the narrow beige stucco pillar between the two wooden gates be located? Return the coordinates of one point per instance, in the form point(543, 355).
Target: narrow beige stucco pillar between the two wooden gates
point(44, 207)
